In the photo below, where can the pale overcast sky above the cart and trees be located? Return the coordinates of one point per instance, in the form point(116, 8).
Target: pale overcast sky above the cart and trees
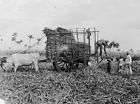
point(117, 20)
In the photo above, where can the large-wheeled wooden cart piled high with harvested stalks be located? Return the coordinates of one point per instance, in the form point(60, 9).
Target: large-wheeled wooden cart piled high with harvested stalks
point(68, 49)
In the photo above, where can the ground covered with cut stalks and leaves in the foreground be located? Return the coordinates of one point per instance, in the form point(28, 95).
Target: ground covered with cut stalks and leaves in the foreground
point(89, 85)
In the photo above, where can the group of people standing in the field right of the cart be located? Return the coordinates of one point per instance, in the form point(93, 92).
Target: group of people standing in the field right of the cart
point(124, 64)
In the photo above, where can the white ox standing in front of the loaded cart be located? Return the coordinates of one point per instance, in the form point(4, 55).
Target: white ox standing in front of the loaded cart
point(19, 59)
